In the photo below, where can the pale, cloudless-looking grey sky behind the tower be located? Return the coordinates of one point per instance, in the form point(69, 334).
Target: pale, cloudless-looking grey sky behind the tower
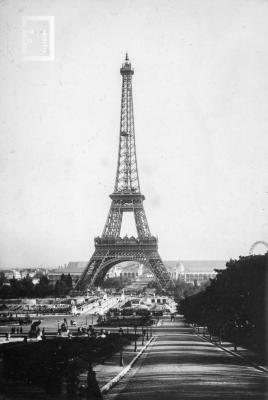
point(200, 92)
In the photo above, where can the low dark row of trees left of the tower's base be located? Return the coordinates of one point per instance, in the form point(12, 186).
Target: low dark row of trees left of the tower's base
point(25, 288)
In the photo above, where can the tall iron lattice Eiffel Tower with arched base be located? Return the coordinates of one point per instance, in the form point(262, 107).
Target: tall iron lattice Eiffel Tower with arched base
point(110, 248)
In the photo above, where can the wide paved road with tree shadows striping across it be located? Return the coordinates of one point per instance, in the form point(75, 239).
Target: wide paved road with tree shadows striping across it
point(180, 365)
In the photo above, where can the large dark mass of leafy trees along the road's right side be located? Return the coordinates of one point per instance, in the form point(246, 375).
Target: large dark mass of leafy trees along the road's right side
point(233, 306)
